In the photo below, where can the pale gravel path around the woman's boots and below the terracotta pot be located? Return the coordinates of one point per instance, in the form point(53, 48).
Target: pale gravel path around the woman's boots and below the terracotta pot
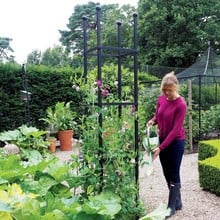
point(197, 203)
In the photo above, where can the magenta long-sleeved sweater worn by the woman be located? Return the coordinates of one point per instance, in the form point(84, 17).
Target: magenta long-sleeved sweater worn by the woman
point(169, 117)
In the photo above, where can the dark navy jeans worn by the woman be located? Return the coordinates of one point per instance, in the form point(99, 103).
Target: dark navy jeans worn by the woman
point(170, 159)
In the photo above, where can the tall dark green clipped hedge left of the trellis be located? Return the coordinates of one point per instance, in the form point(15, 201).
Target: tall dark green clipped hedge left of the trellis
point(47, 85)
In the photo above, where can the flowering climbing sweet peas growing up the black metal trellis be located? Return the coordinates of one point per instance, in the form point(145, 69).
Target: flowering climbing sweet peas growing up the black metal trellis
point(109, 166)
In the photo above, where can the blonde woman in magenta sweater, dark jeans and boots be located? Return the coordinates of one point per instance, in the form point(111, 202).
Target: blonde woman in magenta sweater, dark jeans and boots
point(169, 117)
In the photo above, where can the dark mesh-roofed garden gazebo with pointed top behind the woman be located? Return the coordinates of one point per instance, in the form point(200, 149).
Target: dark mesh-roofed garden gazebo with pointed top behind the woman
point(203, 74)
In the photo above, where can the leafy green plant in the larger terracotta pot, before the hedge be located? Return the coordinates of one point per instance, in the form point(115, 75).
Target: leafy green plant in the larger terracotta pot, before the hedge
point(61, 117)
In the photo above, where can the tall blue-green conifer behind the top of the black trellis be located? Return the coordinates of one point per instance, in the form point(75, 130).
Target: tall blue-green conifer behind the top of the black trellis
point(72, 38)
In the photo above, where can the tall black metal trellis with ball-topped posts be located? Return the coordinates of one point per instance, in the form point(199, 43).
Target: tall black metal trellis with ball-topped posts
point(117, 52)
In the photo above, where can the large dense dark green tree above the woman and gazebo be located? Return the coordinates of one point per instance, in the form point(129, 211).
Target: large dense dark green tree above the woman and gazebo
point(173, 33)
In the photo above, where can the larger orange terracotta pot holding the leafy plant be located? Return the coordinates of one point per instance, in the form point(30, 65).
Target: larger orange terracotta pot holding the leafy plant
point(66, 140)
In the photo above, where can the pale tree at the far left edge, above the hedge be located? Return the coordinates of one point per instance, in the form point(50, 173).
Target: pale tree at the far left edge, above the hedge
point(5, 49)
